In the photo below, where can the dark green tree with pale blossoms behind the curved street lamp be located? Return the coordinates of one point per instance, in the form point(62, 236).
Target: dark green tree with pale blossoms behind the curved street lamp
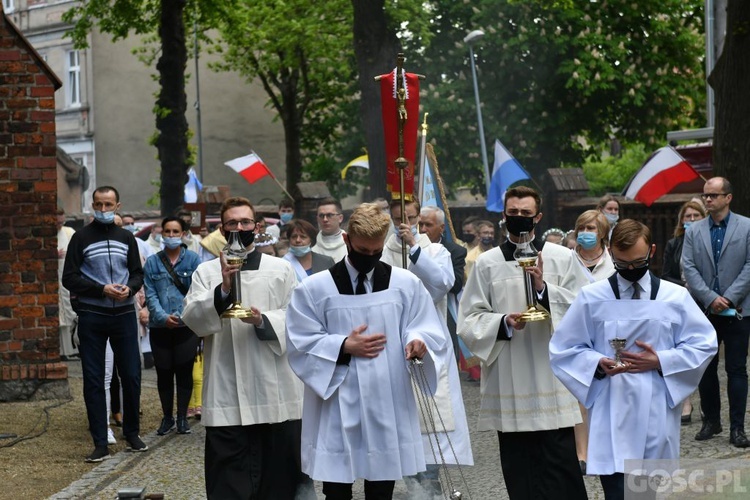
point(556, 77)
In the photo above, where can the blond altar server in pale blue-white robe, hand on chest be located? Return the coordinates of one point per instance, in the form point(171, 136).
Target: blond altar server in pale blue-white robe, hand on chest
point(351, 333)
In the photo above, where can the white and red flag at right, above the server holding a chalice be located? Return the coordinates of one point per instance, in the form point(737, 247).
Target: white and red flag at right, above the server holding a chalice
point(663, 170)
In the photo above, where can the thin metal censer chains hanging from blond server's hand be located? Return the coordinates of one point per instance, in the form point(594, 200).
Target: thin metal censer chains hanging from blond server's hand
point(428, 409)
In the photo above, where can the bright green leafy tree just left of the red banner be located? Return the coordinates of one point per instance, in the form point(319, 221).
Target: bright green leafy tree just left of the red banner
point(301, 52)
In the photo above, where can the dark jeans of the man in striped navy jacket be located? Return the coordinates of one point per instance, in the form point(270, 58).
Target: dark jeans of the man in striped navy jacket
point(122, 332)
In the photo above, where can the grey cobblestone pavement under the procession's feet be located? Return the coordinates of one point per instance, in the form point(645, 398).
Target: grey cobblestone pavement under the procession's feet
point(174, 463)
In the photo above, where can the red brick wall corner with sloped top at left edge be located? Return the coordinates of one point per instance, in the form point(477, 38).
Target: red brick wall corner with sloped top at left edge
point(29, 352)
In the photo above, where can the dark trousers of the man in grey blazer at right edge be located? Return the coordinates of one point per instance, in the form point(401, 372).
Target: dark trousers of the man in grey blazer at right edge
point(734, 333)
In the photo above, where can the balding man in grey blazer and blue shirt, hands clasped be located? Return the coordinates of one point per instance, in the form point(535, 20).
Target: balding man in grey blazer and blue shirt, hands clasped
point(716, 261)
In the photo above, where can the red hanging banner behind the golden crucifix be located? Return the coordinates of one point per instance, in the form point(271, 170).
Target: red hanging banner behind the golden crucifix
point(391, 114)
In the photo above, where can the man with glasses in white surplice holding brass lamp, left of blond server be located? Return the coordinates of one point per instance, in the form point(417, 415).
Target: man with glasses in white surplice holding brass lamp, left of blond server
point(252, 402)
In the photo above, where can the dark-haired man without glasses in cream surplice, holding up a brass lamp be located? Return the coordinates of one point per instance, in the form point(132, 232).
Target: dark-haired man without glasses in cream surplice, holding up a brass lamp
point(521, 399)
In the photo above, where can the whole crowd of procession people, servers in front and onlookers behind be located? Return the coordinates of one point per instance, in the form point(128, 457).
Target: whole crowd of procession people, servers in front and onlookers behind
point(354, 336)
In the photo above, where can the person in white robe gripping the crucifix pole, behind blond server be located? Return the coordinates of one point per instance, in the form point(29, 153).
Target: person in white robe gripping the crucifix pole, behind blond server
point(433, 265)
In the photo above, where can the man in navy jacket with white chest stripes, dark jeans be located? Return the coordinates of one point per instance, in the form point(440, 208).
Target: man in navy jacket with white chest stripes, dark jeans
point(103, 272)
